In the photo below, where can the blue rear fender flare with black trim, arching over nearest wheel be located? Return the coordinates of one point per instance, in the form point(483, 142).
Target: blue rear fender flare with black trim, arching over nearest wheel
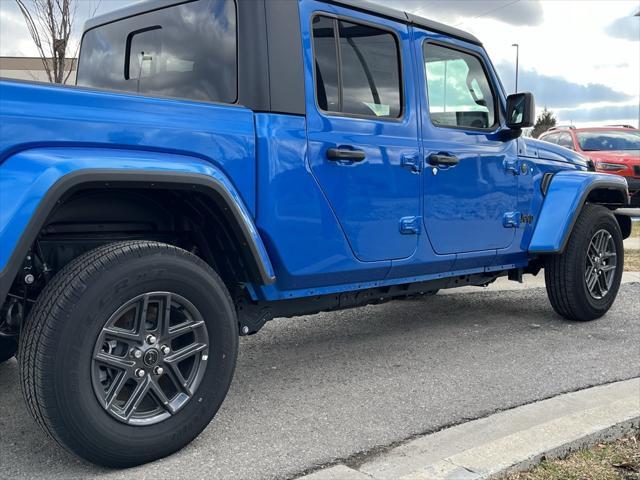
point(32, 181)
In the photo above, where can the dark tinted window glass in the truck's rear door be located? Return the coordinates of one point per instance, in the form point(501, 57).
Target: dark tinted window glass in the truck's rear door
point(366, 79)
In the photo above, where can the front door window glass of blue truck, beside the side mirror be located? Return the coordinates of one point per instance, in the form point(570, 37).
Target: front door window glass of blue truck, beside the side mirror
point(459, 92)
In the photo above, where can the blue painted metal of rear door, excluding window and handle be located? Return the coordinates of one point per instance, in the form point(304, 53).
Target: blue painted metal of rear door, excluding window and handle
point(370, 197)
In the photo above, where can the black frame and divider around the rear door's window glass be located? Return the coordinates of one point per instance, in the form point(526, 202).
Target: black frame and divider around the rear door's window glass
point(336, 18)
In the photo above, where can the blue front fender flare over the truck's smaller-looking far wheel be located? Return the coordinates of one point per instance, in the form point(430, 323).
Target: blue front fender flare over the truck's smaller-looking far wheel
point(565, 197)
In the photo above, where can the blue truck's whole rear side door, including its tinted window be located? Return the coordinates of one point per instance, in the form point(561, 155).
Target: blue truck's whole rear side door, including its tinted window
point(362, 128)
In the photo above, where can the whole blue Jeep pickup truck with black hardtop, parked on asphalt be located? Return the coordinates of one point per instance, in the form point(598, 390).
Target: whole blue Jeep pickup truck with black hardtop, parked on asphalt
point(223, 162)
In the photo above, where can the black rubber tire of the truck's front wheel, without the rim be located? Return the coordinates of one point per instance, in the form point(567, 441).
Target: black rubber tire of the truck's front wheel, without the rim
point(565, 273)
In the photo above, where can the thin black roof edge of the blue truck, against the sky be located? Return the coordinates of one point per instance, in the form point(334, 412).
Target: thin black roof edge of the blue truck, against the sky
point(361, 5)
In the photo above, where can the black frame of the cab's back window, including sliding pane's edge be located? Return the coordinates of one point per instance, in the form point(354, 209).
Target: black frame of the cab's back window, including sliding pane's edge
point(130, 34)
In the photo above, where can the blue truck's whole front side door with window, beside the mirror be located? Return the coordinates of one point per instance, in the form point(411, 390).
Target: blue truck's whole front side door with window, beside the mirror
point(471, 175)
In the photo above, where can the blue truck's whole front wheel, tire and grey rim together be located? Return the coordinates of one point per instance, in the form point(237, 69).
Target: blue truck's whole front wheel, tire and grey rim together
point(583, 281)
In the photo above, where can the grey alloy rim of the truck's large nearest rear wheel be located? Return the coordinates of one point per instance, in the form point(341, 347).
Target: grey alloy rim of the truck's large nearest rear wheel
point(150, 358)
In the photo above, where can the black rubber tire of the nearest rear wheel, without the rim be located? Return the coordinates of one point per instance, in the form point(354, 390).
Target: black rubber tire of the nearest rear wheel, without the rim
point(58, 343)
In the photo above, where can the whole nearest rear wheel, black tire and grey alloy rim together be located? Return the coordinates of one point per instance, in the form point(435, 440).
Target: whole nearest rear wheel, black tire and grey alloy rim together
point(129, 352)
